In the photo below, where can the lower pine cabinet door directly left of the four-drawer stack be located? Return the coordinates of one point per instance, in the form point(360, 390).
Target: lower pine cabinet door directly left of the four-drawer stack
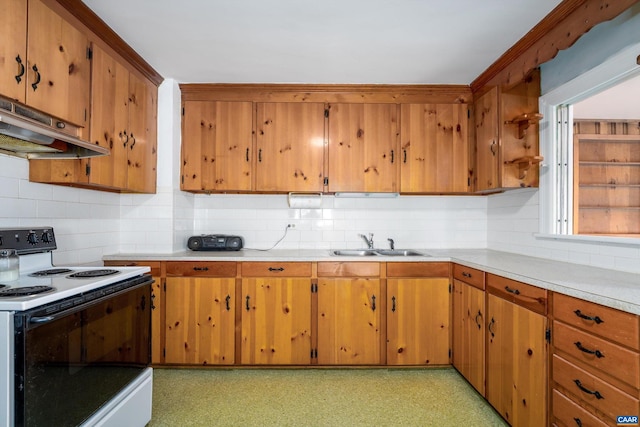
point(516, 362)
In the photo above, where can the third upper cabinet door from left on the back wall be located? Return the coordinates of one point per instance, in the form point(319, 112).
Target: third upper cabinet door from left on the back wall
point(363, 147)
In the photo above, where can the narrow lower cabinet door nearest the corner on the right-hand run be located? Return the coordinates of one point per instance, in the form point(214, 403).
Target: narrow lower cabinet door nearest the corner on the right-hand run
point(469, 333)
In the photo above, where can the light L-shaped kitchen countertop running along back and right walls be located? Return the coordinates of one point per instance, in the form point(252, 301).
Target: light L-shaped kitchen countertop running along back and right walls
point(611, 288)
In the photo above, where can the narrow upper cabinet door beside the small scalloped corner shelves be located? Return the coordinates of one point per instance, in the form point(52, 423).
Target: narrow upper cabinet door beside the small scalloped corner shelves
point(487, 141)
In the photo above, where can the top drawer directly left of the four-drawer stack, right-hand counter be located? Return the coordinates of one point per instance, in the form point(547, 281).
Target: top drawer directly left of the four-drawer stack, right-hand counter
point(531, 297)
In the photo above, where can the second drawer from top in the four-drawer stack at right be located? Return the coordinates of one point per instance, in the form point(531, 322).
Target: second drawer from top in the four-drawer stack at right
point(622, 363)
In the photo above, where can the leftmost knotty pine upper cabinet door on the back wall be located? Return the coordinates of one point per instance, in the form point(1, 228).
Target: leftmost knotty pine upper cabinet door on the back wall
point(217, 146)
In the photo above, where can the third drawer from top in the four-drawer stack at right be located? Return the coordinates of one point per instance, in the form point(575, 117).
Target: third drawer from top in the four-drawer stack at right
point(593, 390)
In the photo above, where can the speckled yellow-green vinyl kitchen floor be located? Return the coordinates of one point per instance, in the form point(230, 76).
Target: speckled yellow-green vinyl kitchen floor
point(317, 397)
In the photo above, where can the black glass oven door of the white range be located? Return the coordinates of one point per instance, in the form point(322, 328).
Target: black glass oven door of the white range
point(73, 356)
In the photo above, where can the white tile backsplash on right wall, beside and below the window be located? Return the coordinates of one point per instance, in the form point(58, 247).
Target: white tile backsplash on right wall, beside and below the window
point(513, 219)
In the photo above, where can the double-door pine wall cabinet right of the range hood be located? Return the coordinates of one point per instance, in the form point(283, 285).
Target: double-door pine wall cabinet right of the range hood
point(123, 120)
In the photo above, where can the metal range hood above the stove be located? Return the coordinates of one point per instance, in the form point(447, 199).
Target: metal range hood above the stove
point(33, 135)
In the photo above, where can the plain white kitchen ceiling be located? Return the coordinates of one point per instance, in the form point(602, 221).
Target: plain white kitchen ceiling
point(329, 41)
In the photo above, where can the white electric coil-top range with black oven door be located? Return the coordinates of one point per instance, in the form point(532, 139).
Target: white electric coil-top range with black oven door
point(74, 341)
